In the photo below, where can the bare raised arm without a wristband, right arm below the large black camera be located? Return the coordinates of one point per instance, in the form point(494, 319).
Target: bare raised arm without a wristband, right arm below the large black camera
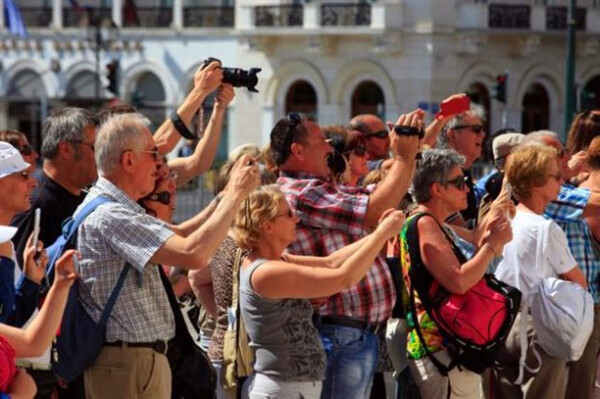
point(187, 168)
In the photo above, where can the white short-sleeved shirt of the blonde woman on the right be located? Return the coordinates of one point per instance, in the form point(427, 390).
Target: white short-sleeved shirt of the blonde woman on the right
point(522, 250)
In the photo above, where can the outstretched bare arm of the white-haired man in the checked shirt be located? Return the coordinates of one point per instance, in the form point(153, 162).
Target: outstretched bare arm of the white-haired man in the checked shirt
point(195, 250)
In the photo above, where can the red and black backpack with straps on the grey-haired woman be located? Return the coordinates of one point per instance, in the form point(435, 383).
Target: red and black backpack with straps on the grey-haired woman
point(474, 325)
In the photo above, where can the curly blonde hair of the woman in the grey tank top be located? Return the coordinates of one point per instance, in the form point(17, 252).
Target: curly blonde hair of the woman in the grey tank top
point(262, 205)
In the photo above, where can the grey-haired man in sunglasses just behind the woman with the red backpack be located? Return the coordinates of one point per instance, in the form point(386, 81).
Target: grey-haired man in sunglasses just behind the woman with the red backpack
point(465, 134)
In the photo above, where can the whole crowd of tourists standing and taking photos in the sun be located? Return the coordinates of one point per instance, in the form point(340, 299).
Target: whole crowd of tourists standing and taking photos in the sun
point(294, 255)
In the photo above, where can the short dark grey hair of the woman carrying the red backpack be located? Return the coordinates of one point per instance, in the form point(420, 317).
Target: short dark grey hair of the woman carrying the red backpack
point(434, 166)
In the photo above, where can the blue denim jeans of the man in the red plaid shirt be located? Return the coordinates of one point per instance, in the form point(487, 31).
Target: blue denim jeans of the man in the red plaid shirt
point(352, 357)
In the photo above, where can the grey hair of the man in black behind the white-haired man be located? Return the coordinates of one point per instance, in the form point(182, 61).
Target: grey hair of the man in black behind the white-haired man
point(68, 124)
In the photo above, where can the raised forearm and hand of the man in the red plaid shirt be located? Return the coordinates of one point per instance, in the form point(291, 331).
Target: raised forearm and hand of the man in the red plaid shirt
point(394, 186)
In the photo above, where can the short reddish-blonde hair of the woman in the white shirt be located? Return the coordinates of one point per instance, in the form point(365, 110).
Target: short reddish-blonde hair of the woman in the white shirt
point(528, 167)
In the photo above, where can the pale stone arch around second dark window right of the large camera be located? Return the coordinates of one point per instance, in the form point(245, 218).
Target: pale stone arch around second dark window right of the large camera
point(352, 75)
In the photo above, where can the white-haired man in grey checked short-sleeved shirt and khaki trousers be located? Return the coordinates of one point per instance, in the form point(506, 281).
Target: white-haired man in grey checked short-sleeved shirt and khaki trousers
point(132, 362)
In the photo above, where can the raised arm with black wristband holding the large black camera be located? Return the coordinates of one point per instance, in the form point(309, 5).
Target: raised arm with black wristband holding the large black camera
point(205, 82)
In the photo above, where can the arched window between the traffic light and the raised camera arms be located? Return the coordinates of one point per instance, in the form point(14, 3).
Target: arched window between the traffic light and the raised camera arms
point(148, 96)
